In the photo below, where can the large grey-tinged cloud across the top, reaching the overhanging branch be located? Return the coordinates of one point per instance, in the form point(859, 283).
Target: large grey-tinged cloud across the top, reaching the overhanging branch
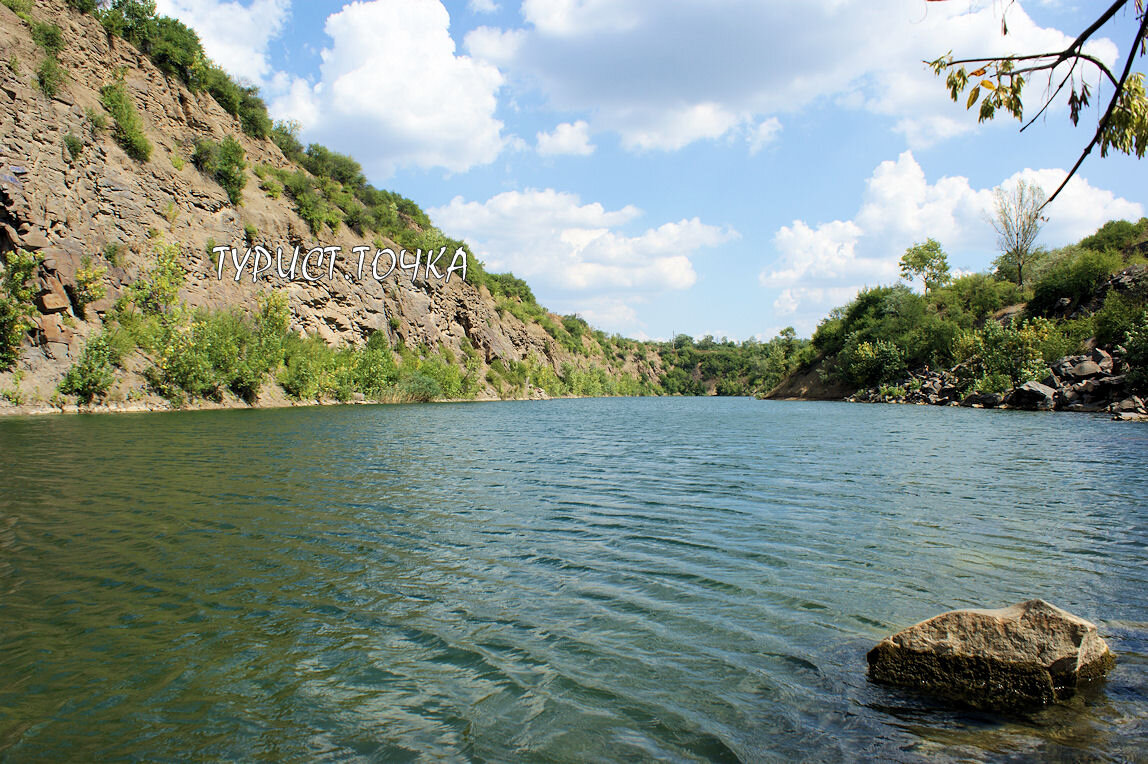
point(638, 67)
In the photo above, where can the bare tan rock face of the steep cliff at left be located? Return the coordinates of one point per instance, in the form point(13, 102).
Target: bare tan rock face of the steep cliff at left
point(71, 194)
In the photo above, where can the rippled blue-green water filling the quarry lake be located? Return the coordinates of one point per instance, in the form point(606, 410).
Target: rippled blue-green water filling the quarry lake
point(614, 580)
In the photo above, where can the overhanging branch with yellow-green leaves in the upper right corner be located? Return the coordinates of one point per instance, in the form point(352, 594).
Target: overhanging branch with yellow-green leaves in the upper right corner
point(1124, 124)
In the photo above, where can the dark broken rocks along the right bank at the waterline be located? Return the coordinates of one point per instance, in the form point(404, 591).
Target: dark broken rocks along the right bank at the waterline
point(1092, 383)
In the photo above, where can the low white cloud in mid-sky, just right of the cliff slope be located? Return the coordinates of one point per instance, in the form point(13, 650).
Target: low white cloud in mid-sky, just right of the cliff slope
point(561, 245)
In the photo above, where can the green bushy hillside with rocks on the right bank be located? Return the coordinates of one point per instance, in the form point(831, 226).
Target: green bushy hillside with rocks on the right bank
point(980, 339)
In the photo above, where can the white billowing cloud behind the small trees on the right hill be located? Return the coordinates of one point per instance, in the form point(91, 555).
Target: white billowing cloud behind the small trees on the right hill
point(825, 266)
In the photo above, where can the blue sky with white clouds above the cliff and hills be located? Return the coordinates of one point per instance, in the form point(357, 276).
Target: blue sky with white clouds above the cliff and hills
point(661, 167)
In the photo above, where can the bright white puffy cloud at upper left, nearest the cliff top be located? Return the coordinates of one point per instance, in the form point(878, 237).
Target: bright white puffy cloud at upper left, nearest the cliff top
point(394, 93)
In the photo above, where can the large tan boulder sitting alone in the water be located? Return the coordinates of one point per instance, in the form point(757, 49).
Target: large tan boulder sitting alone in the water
point(1025, 656)
